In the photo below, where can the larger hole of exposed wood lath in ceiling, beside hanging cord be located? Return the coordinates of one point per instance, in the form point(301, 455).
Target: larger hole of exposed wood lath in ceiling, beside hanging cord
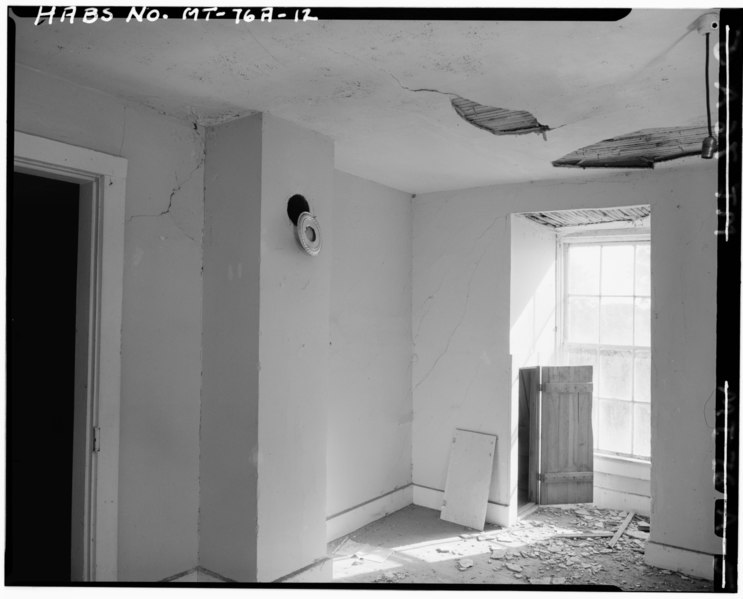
point(641, 149)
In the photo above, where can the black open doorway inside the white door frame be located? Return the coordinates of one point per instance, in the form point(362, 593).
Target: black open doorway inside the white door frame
point(41, 304)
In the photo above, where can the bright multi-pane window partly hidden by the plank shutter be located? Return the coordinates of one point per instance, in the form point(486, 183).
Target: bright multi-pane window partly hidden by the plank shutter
point(606, 323)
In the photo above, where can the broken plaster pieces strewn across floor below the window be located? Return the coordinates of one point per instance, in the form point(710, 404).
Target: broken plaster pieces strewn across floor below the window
point(573, 545)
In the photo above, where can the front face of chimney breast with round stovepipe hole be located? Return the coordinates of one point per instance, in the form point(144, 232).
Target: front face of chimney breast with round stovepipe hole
point(294, 340)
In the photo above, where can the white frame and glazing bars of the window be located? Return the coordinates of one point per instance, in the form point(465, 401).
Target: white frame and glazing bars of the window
point(599, 238)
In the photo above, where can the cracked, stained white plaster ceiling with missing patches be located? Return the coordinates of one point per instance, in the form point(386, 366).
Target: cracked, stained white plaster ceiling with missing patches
point(382, 90)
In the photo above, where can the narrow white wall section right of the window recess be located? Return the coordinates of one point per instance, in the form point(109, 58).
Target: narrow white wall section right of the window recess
point(684, 293)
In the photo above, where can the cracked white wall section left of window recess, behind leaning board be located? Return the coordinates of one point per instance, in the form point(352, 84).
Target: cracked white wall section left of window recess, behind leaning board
point(461, 361)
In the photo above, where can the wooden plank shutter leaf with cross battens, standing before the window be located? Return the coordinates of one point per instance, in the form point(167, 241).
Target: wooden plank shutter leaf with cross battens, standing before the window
point(566, 436)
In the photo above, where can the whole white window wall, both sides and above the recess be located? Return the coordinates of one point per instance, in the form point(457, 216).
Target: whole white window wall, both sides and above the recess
point(461, 378)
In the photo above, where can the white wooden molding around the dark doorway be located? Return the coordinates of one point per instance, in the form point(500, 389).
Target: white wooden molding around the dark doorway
point(106, 176)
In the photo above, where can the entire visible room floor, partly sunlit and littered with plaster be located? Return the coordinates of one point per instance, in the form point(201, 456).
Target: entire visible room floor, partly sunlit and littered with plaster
point(552, 545)
